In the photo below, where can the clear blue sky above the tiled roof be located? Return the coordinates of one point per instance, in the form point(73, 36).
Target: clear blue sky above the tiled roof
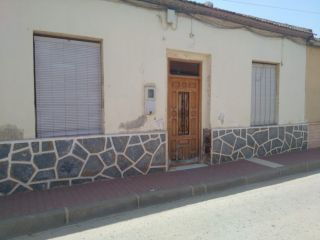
point(301, 13)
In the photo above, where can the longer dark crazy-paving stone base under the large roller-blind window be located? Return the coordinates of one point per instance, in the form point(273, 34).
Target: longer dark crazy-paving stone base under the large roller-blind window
point(44, 164)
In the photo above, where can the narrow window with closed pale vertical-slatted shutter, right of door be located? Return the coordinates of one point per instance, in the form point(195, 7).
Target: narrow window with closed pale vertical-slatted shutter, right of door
point(264, 95)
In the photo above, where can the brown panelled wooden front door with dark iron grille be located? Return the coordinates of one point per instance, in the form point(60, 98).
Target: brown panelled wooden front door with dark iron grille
point(183, 117)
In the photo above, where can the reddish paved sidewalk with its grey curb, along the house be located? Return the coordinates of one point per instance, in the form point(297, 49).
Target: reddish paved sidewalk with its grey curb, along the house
point(33, 211)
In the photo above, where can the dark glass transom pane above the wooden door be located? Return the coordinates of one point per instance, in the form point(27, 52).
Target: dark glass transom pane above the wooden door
point(184, 68)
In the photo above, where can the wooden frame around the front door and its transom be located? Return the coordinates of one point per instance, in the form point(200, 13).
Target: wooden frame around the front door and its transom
point(169, 59)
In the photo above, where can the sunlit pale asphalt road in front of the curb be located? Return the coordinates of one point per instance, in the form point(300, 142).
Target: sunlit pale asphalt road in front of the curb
point(283, 210)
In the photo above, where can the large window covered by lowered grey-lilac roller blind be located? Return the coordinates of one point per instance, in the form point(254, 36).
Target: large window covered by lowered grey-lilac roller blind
point(67, 87)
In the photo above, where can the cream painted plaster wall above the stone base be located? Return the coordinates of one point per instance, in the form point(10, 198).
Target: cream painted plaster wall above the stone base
point(135, 47)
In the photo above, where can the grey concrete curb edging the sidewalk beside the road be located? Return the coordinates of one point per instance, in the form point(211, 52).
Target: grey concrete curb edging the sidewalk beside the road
point(28, 224)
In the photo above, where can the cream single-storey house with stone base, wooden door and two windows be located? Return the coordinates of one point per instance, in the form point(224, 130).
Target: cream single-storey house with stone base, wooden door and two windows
point(93, 89)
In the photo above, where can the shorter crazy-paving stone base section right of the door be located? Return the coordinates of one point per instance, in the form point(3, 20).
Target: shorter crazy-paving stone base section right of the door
point(243, 143)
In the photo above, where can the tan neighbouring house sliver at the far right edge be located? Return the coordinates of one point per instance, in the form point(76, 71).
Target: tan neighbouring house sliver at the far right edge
point(313, 93)
